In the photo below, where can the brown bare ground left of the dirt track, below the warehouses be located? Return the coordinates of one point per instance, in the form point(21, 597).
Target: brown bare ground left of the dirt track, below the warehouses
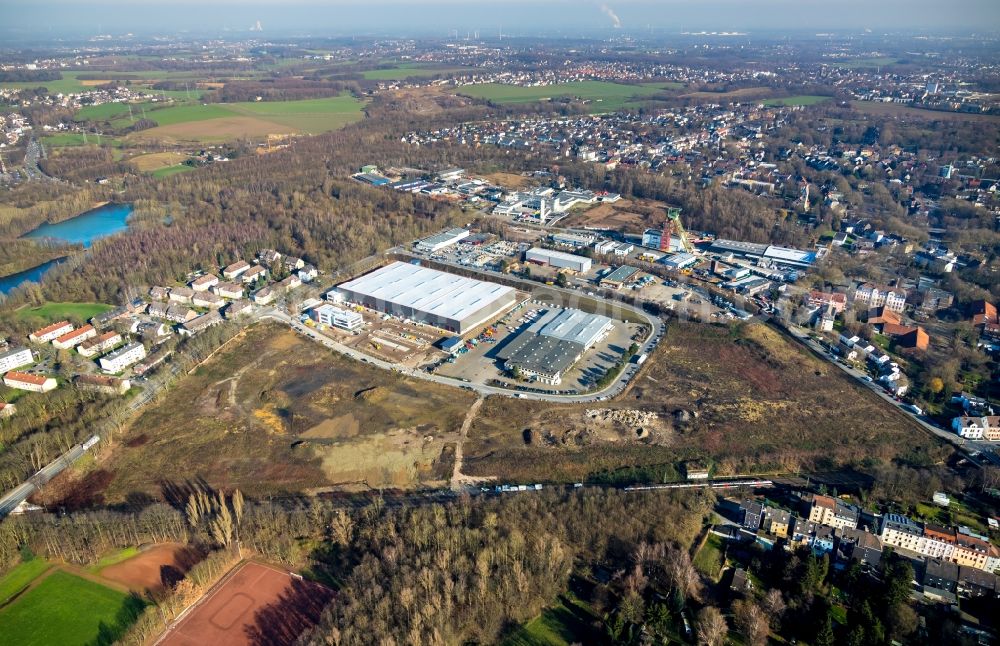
point(275, 412)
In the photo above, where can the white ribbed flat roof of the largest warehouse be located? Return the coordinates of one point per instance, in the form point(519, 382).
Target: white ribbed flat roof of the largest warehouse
point(428, 290)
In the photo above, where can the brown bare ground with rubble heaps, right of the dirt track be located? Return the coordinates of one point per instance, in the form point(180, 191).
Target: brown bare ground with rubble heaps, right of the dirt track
point(743, 398)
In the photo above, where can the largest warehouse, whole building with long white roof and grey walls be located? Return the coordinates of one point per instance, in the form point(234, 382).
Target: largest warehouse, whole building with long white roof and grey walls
point(437, 298)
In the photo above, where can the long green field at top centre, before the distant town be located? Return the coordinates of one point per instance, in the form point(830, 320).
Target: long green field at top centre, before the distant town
point(604, 96)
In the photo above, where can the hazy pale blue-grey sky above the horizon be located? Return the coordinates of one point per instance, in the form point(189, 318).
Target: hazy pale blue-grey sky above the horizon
point(340, 17)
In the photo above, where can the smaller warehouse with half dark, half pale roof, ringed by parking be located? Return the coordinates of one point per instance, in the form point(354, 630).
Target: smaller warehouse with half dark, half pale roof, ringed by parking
point(553, 343)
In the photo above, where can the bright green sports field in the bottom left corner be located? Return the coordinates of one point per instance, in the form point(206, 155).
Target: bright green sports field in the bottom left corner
point(66, 609)
